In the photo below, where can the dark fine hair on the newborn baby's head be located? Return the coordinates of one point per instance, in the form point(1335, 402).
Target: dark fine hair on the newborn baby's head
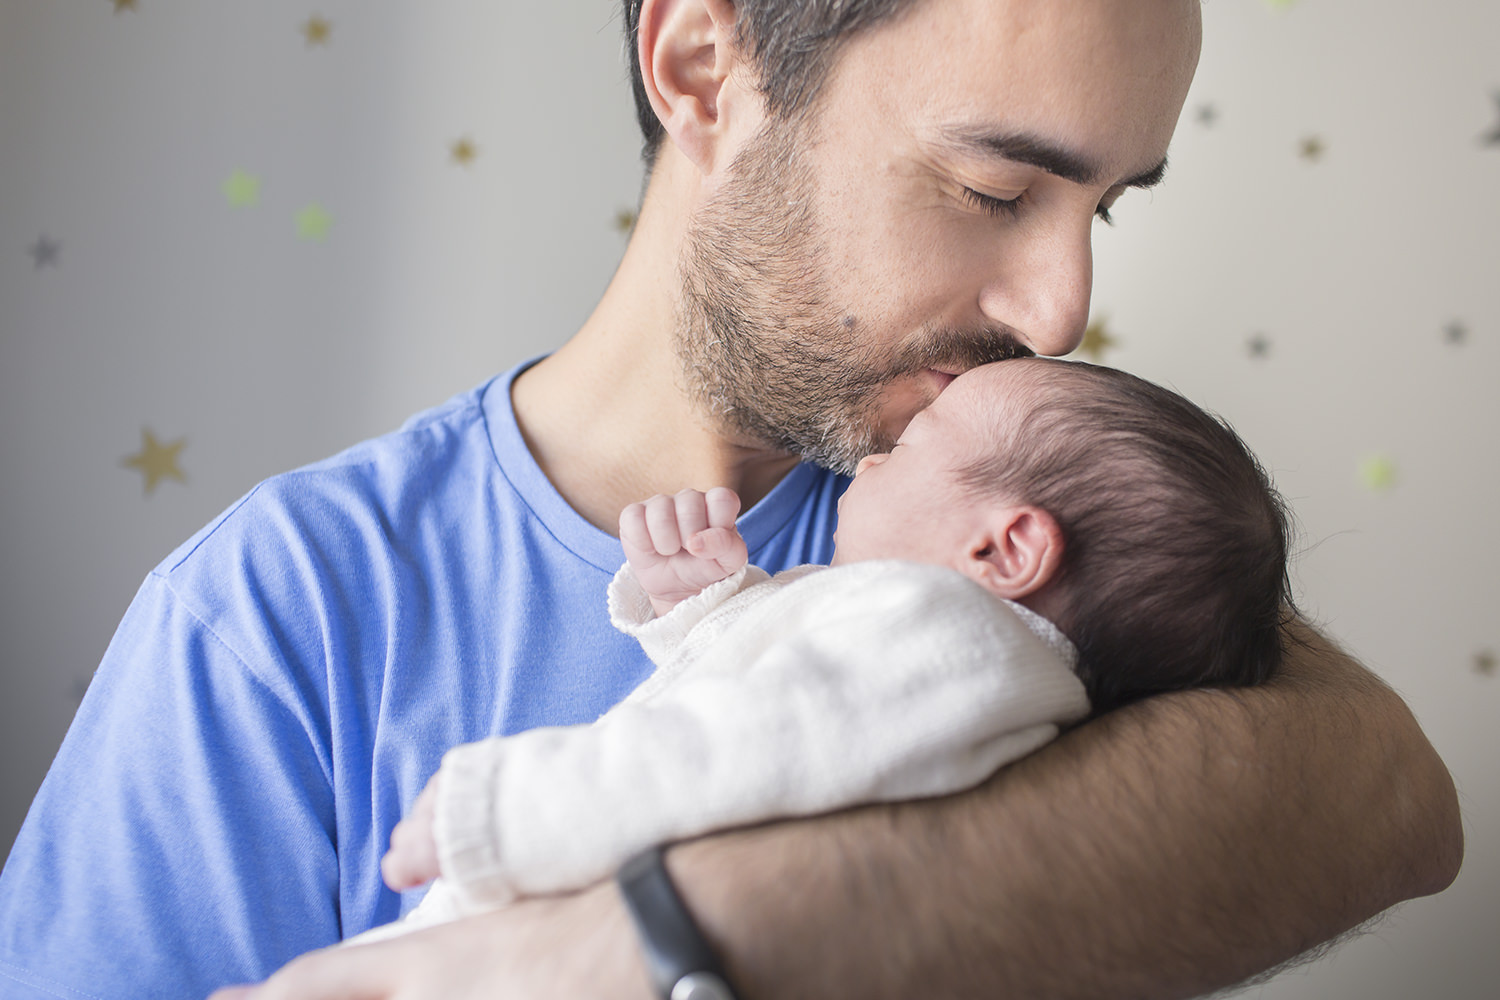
point(1175, 543)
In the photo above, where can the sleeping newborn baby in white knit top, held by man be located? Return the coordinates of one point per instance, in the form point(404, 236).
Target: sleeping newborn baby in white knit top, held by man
point(1046, 540)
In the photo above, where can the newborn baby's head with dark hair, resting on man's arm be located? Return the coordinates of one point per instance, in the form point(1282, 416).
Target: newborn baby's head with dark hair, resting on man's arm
point(1141, 525)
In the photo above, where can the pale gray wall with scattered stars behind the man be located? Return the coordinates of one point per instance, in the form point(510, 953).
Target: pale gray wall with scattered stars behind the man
point(172, 311)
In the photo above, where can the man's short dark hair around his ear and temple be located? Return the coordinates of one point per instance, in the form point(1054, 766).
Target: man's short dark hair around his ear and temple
point(791, 43)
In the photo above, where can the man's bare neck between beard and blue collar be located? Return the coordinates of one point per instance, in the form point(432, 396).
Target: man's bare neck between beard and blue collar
point(607, 418)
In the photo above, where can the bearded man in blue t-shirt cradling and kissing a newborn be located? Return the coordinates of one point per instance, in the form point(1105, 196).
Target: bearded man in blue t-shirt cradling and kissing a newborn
point(818, 253)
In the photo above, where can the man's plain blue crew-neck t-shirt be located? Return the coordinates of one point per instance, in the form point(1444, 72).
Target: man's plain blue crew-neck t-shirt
point(284, 686)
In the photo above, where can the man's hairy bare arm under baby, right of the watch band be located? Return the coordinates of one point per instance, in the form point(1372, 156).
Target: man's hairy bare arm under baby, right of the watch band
point(1168, 849)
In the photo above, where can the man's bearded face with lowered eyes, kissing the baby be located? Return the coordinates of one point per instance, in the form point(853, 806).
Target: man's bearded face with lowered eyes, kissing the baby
point(934, 214)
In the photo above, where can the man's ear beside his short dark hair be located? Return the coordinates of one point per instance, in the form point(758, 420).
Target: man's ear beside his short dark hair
point(688, 53)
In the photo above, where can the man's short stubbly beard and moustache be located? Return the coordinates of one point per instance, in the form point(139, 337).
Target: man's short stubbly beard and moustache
point(764, 350)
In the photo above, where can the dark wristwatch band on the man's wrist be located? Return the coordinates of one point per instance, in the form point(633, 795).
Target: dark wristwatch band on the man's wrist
point(679, 960)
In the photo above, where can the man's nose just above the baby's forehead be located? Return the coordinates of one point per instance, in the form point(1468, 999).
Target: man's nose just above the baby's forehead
point(1040, 289)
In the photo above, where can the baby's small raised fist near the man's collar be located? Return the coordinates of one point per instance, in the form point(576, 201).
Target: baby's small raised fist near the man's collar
point(680, 545)
